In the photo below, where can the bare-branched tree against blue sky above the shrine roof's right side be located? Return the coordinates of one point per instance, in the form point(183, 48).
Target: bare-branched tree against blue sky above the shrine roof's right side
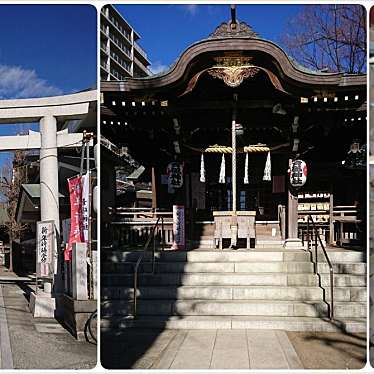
point(328, 37)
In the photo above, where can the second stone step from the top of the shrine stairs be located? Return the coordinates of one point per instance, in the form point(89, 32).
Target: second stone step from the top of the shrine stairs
point(212, 267)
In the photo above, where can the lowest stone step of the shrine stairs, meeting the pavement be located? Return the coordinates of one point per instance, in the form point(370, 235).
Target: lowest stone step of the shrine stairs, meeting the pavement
point(349, 325)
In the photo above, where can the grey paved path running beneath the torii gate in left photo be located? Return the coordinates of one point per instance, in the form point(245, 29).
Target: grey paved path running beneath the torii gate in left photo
point(28, 343)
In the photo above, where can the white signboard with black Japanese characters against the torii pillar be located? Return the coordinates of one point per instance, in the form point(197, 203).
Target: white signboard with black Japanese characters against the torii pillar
point(45, 242)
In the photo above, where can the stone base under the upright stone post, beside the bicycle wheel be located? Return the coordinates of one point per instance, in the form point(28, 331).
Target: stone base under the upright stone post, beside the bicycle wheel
point(76, 314)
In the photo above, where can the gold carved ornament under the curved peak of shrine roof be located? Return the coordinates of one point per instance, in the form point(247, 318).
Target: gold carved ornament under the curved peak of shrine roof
point(233, 69)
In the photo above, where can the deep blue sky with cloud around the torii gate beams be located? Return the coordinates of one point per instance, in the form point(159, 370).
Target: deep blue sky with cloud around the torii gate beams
point(45, 50)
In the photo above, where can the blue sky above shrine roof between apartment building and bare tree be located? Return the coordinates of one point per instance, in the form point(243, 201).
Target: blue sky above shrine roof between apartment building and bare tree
point(166, 30)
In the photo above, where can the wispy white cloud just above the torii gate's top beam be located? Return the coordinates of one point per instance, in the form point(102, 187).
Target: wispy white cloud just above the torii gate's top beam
point(17, 83)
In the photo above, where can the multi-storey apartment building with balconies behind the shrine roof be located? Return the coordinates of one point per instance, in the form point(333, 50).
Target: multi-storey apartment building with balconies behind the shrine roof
point(120, 54)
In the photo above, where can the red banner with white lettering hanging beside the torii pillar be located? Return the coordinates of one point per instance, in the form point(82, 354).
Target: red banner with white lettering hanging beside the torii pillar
point(76, 232)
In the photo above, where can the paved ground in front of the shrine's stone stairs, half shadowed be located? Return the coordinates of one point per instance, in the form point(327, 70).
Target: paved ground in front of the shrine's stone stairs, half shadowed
point(231, 349)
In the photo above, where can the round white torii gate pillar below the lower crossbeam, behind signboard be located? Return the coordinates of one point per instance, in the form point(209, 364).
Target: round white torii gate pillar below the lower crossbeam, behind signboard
point(49, 204)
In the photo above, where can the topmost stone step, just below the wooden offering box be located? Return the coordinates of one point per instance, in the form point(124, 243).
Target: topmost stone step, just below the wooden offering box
point(261, 255)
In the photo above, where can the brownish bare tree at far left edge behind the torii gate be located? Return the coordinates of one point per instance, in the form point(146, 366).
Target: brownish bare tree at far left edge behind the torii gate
point(14, 175)
